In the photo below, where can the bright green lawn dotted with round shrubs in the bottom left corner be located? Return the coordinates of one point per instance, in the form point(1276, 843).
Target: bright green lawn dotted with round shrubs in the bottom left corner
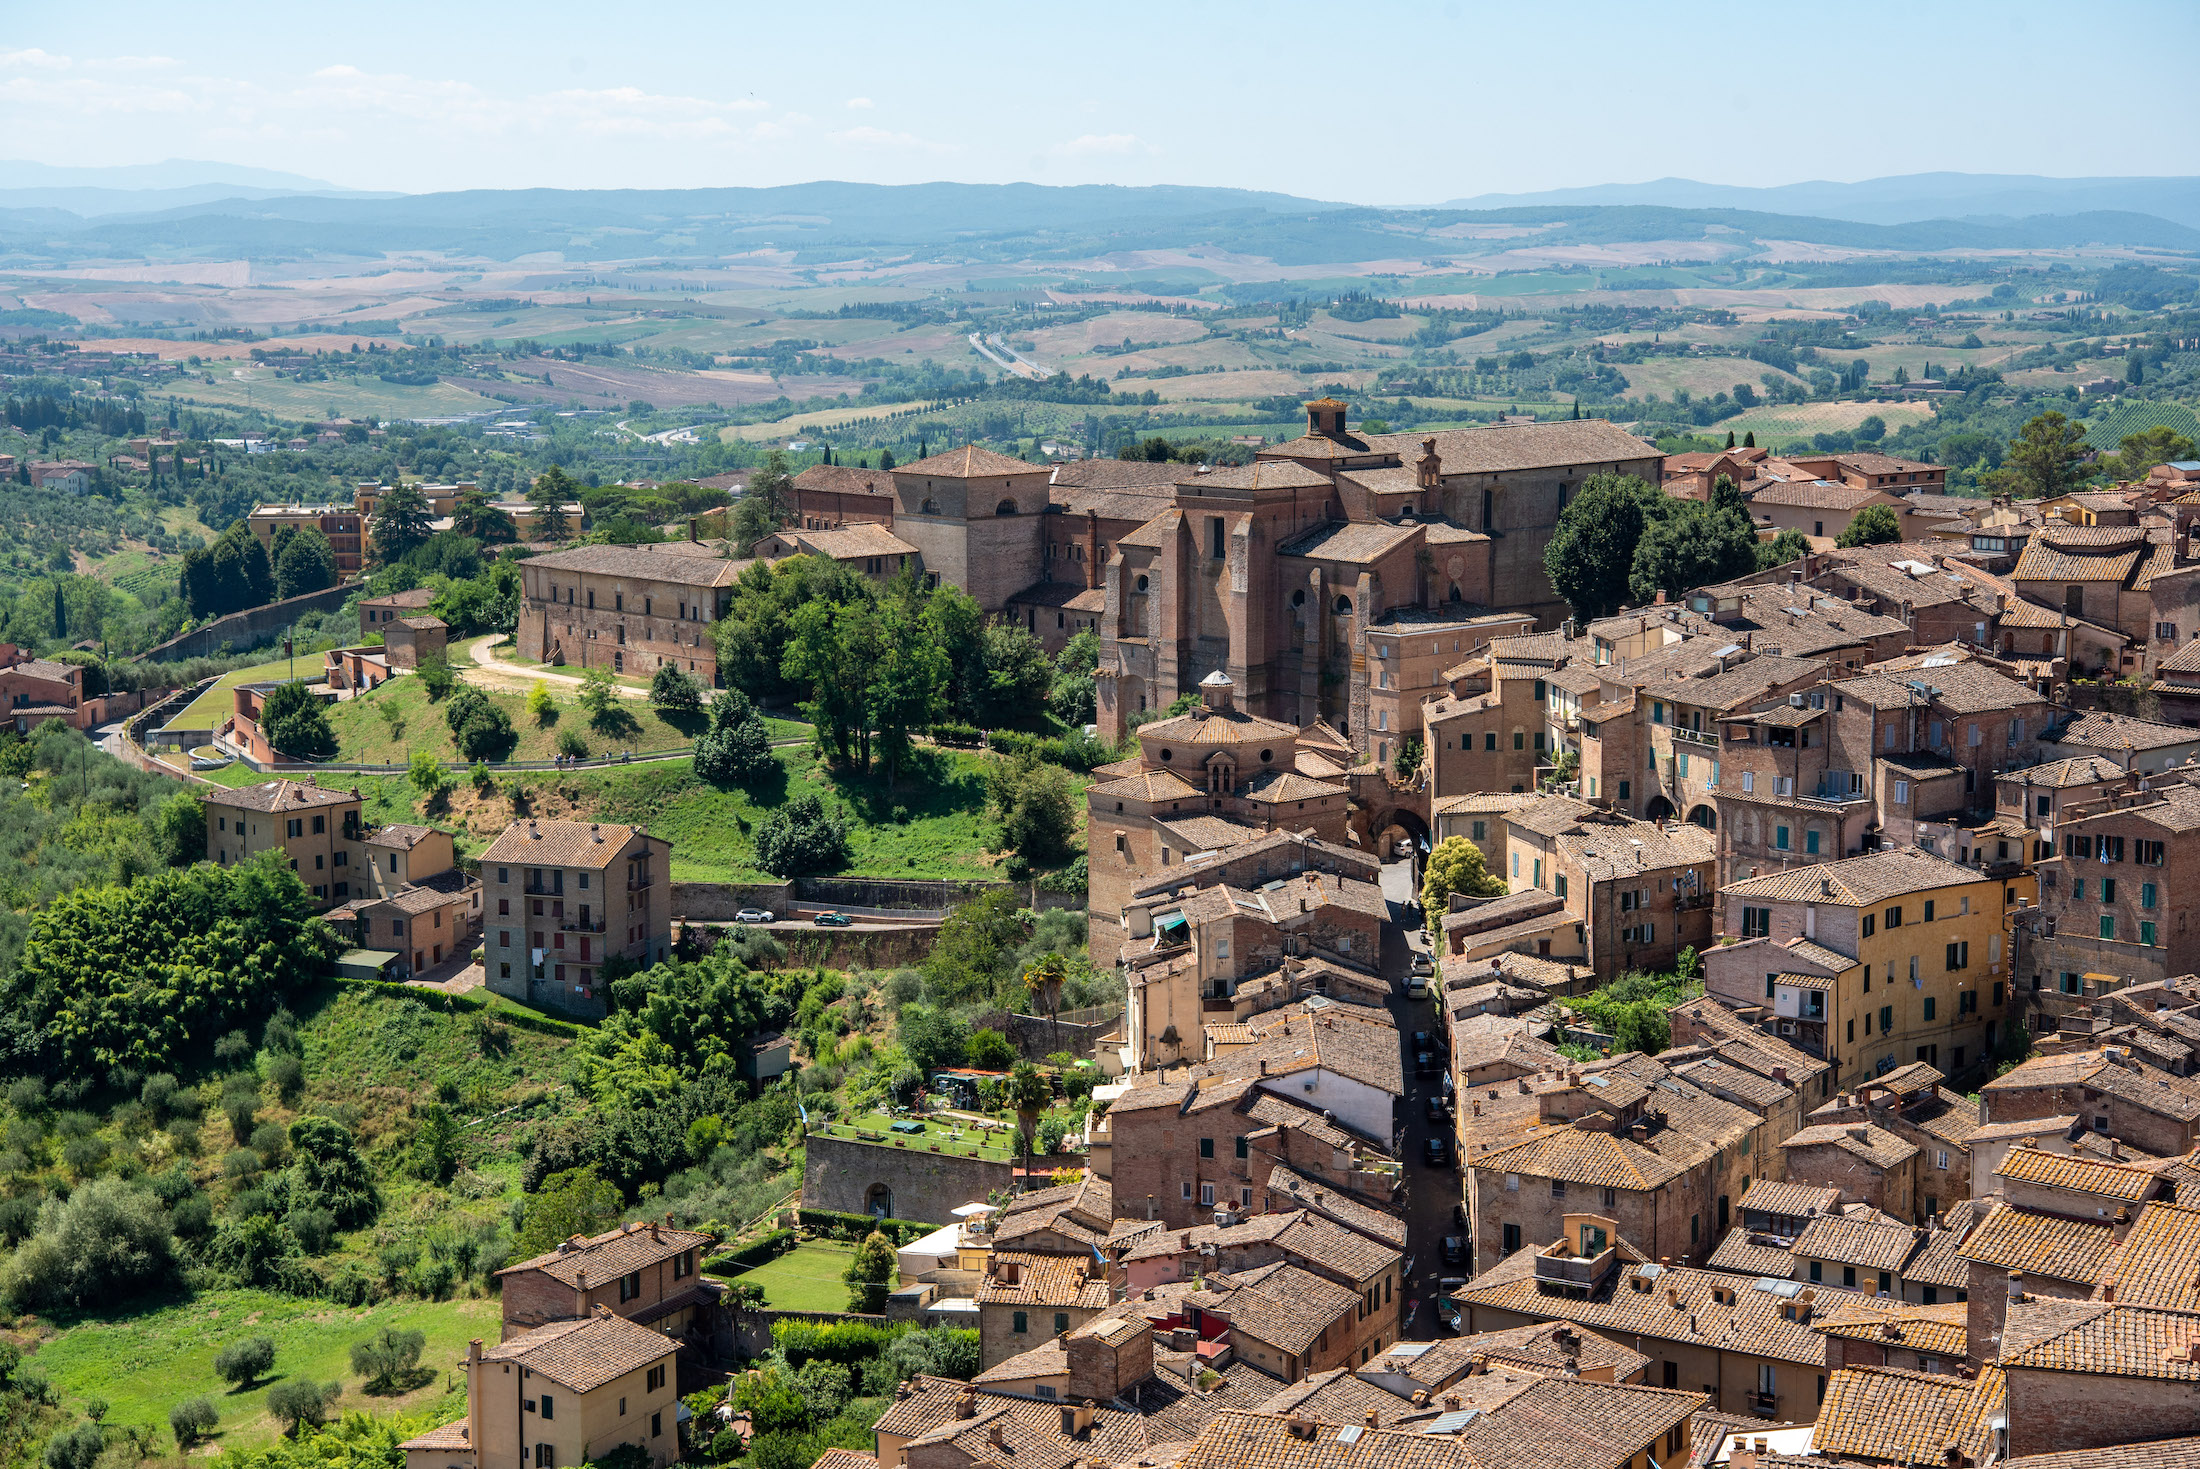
point(151, 1360)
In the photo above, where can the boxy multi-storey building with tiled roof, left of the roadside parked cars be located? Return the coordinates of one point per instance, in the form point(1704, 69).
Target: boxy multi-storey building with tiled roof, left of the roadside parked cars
point(564, 896)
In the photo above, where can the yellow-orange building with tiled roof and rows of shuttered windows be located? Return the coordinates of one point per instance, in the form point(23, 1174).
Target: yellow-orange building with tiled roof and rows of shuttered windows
point(1873, 962)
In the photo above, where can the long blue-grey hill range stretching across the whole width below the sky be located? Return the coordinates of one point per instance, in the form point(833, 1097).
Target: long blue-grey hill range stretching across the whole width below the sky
point(973, 223)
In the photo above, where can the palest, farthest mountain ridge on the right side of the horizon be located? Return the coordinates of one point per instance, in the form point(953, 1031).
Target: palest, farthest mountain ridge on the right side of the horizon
point(1891, 201)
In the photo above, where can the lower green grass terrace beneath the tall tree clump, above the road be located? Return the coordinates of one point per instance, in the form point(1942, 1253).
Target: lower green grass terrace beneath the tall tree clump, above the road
point(932, 826)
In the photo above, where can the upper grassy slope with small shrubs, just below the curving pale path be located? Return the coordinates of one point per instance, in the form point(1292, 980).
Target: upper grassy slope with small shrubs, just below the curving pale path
point(388, 725)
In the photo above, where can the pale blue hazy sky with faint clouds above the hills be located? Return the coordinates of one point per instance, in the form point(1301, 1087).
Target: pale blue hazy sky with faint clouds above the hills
point(1387, 104)
